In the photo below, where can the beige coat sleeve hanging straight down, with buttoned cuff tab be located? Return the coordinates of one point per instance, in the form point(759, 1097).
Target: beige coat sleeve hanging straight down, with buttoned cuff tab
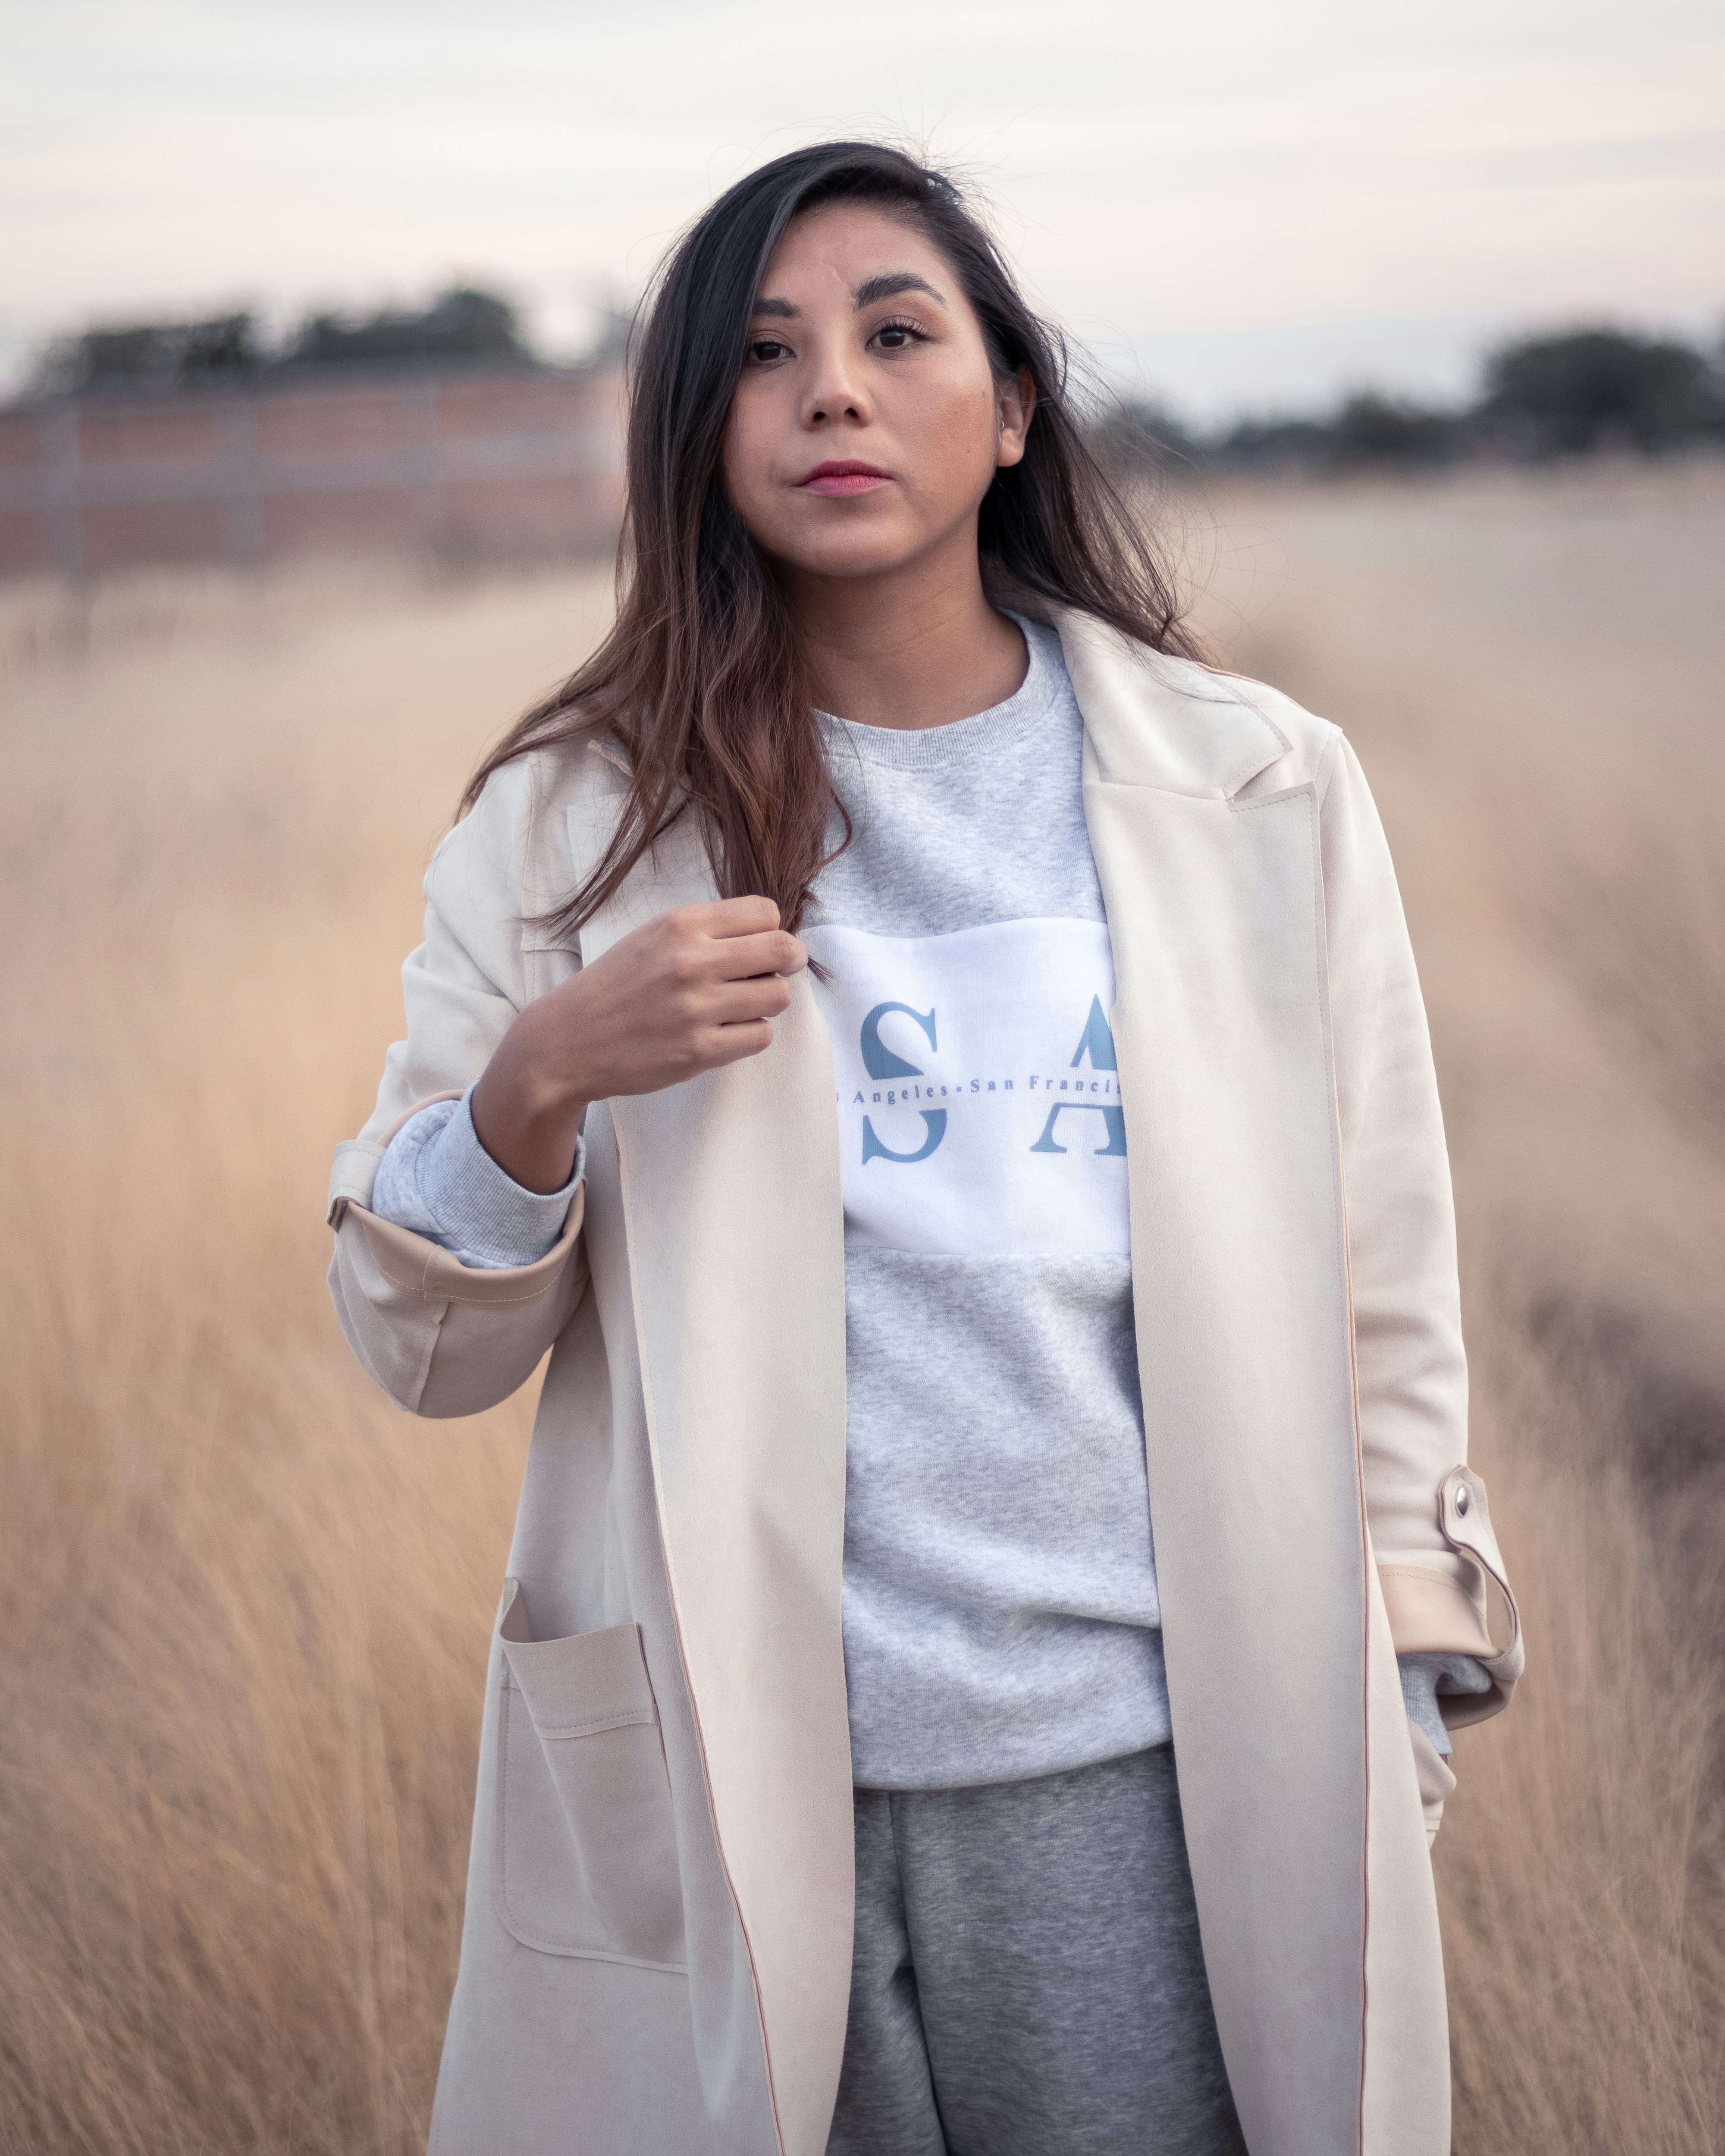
point(1426, 1512)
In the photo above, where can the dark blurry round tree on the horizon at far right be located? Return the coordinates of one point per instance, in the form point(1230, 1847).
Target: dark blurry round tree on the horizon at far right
point(1595, 389)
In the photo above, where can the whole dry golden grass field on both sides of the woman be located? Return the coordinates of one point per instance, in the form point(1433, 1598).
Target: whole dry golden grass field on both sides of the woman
point(247, 1603)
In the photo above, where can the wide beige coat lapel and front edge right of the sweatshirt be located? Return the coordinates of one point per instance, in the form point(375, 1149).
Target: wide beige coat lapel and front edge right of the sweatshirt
point(1243, 1321)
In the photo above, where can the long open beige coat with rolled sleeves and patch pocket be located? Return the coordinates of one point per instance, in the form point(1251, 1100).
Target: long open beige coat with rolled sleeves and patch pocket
point(657, 1952)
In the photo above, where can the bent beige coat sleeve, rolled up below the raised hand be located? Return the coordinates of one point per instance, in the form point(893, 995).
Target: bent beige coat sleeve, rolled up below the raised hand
point(443, 1338)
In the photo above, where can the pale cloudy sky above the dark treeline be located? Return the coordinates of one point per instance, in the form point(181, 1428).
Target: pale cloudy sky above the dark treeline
point(1241, 206)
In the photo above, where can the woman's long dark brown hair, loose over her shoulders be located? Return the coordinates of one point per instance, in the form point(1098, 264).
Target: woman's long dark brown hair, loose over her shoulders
point(702, 680)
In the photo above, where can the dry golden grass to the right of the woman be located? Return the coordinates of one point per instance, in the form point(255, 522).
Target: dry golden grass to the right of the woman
point(1532, 672)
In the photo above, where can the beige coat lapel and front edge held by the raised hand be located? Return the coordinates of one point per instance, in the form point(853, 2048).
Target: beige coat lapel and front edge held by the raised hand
point(736, 1254)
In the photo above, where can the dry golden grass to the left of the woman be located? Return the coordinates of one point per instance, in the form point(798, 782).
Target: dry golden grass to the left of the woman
point(245, 1601)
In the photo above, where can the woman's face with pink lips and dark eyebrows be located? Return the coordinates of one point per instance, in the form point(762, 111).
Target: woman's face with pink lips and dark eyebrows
point(868, 424)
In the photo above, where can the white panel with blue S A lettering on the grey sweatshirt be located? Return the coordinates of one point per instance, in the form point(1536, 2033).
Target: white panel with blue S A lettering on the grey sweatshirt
point(978, 1094)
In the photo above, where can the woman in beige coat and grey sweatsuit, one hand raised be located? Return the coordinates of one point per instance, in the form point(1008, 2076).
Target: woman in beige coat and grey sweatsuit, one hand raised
point(946, 1077)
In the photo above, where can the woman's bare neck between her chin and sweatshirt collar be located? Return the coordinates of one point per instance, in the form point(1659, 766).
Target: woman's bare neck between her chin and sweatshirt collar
point(913, 648)
